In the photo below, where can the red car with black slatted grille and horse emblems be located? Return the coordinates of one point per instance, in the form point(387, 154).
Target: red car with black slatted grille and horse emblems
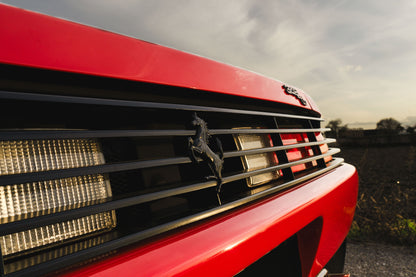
point(121, 157)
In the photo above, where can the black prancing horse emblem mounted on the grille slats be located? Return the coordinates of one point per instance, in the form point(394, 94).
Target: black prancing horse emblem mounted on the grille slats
point(198, 148)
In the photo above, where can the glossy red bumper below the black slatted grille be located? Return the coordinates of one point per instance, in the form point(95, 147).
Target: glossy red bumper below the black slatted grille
point(225, 246)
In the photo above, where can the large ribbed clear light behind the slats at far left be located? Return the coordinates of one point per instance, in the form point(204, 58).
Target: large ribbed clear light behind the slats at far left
point(28, 200)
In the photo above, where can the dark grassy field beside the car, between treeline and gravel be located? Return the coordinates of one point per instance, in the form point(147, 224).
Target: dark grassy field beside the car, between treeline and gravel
point(386, 209)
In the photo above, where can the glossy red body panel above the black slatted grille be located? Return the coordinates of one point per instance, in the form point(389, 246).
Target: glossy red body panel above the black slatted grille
point(42, 41)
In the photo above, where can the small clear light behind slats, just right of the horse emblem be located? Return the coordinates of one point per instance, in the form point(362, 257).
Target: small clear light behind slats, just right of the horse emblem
point(257, 161)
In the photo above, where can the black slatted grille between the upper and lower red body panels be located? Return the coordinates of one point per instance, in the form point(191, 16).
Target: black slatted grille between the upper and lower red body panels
point(156, 186)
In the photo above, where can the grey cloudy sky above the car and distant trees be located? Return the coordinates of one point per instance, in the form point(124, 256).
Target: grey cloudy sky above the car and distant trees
point(356, 58)
